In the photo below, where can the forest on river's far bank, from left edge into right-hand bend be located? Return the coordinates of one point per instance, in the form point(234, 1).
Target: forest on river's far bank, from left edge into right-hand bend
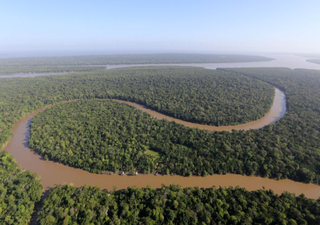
point(21, 96)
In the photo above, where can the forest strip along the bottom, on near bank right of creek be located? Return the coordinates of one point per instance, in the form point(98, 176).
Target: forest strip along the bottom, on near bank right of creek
point(174, 205)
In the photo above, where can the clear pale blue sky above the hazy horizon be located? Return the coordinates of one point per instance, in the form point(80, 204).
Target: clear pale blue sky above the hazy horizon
point(138, 26)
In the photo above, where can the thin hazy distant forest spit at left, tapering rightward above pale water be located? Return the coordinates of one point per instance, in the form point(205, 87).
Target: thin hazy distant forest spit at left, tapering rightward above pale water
point(6, 70)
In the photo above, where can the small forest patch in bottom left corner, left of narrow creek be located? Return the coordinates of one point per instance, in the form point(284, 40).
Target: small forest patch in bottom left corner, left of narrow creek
point(19, 191)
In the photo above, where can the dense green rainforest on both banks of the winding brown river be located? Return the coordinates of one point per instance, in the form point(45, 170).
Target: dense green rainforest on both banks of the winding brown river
point(86, 127)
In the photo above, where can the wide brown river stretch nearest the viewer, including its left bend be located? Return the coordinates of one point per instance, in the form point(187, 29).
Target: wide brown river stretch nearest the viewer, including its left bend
point(54, 173)
